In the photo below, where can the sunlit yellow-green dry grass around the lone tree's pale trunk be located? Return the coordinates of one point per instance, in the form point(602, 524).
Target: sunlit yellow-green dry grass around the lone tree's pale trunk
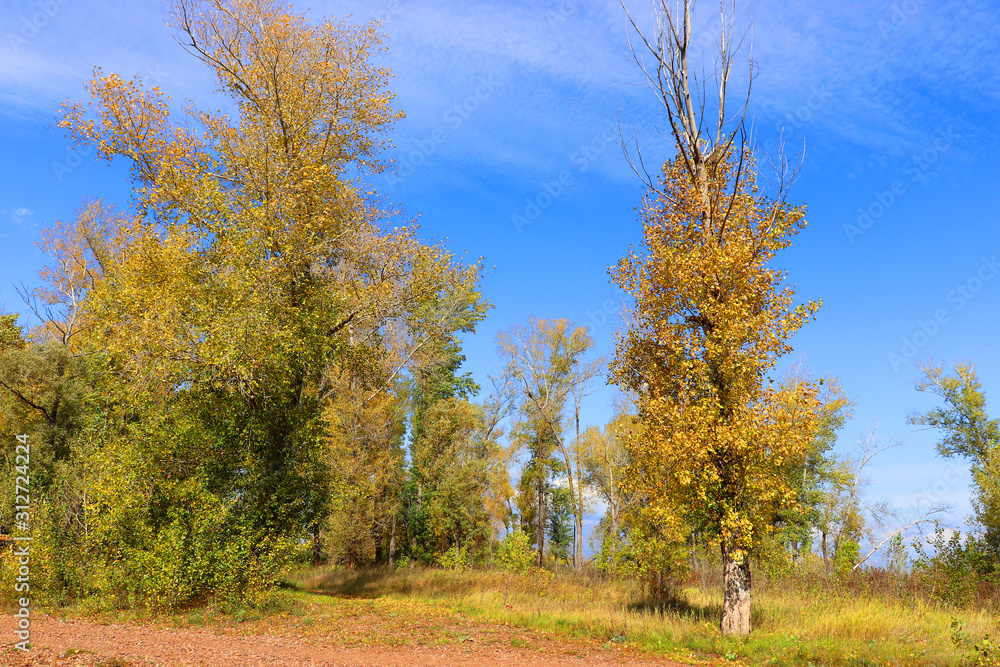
point(816, 623)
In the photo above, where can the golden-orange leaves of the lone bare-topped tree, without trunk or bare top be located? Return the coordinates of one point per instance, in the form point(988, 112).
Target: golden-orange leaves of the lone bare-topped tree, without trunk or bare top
point(711, 318)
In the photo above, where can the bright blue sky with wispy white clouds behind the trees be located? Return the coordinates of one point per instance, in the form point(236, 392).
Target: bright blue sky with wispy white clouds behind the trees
point(894, 103)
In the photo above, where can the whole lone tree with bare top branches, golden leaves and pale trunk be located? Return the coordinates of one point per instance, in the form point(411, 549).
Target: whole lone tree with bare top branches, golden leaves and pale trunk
point(711, 318)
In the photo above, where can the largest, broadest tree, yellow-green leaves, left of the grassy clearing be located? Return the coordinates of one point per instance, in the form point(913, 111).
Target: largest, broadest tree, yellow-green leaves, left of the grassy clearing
point(258, 312)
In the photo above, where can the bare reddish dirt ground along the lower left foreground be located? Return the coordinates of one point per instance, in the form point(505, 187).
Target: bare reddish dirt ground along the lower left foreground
point(80, 642)
